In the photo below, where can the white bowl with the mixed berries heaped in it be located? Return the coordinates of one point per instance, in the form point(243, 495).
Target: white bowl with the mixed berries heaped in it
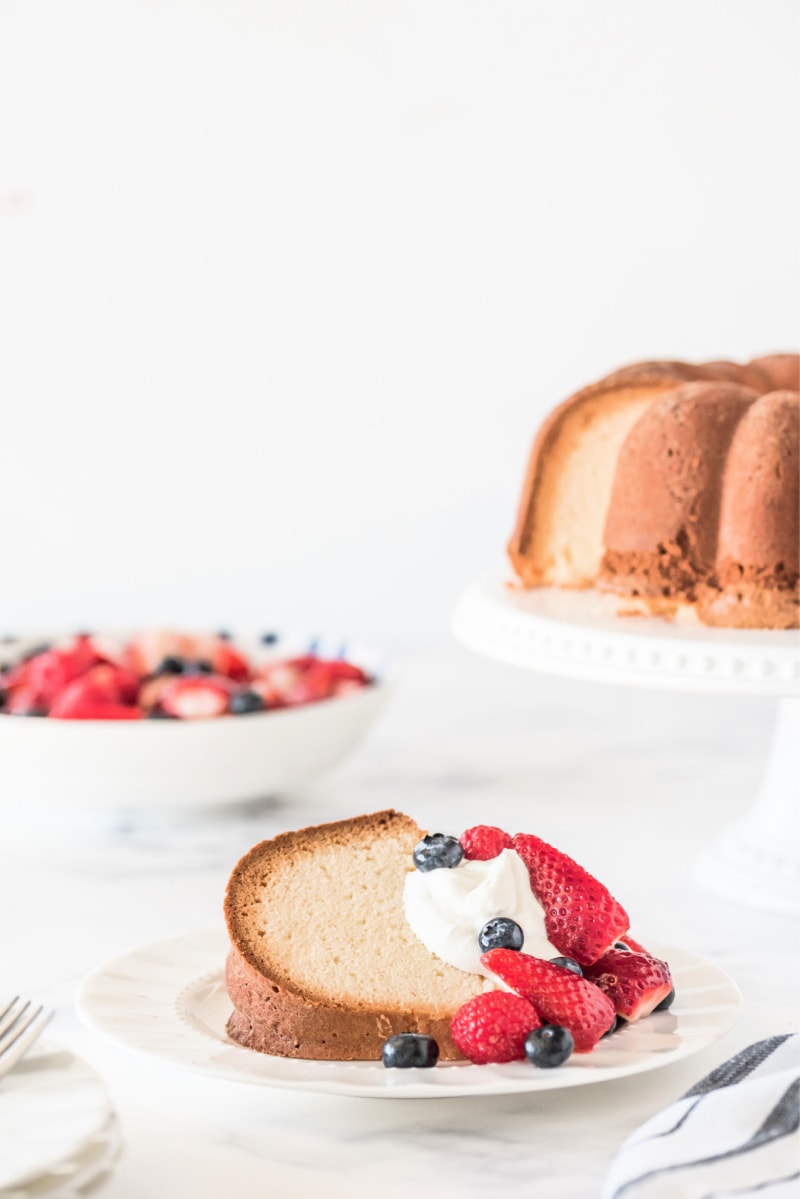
point(171, 720)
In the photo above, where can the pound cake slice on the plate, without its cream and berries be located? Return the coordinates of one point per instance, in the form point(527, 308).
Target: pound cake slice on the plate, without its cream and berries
point(323, 962)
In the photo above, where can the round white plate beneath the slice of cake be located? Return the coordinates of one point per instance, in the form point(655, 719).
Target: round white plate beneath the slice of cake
point(169, 1001)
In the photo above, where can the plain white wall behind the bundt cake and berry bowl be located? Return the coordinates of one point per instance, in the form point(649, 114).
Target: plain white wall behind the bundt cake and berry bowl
point(287, 286)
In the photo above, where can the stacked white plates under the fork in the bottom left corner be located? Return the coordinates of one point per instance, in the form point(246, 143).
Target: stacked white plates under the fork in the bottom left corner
point(58, 1130)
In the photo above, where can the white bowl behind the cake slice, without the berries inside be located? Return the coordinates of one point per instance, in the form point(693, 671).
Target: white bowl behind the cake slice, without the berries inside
point(184, 764)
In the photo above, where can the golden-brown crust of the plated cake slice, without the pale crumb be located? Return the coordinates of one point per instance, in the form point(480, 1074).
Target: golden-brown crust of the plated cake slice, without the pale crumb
point(272, 1014)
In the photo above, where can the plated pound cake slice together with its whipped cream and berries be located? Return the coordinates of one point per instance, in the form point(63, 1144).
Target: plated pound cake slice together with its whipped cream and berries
point(369, 939)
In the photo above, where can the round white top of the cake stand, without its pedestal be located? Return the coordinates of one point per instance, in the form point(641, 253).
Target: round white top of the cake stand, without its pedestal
point(580, 635)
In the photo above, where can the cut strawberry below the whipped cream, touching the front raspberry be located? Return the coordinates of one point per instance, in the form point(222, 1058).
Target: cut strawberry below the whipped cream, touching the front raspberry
point(560, 996)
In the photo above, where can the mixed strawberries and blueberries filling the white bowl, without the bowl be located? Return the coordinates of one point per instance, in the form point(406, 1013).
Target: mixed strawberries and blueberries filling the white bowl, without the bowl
point(163, 674)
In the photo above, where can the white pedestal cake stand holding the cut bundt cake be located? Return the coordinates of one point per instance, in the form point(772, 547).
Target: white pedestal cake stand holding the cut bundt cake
point(579, 635)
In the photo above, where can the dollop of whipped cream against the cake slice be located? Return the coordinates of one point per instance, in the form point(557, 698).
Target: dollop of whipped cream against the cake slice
point(448, 908)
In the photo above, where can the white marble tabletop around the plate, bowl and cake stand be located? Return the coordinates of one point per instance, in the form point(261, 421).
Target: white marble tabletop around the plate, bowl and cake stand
point(631, 784)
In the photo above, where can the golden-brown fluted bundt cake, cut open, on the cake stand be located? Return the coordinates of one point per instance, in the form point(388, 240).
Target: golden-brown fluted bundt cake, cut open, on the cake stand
point(675, 486)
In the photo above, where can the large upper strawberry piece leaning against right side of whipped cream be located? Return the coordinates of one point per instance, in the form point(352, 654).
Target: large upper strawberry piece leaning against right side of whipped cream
point(581, 917)
